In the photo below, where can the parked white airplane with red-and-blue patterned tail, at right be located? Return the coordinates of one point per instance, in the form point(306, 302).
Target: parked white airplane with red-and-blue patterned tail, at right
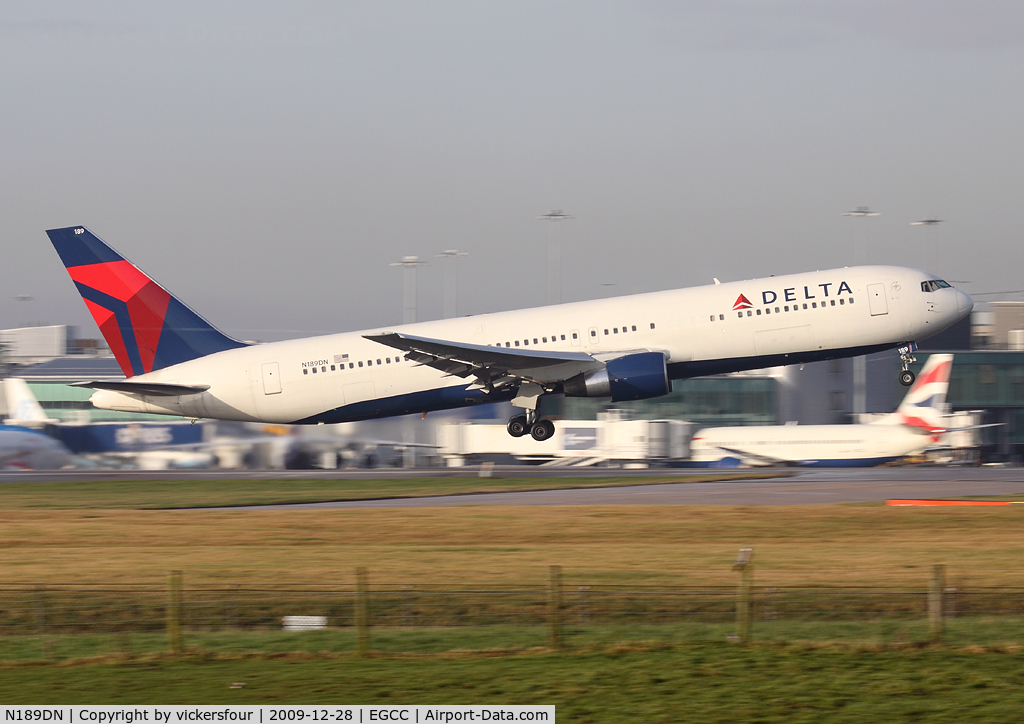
point(917, 425)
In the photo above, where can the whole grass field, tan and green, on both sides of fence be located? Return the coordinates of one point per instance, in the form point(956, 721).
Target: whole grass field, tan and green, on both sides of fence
point(813, 669)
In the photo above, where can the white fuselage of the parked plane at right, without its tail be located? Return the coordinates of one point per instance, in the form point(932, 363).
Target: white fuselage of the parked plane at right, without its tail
point(809, 445)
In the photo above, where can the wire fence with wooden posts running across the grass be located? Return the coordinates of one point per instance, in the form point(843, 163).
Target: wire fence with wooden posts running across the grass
point(362, 616)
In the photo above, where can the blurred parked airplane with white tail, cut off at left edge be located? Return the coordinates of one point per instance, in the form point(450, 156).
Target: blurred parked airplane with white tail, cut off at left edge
point(23, 446)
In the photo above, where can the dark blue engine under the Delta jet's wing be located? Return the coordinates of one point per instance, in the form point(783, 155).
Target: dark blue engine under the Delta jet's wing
point(632, 377)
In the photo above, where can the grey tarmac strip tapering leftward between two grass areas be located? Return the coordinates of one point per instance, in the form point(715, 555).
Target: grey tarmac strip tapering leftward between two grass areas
point(805, 488)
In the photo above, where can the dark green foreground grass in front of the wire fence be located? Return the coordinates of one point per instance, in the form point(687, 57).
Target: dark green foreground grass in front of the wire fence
point(701, 683)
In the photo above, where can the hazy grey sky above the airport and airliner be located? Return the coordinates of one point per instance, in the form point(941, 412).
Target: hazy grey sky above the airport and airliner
point(268, 162)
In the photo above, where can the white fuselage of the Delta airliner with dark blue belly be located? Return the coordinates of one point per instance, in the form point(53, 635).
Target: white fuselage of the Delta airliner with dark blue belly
point(705, 330)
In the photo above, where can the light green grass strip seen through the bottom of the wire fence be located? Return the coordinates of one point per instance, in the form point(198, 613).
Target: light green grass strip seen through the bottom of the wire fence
point(997, 632)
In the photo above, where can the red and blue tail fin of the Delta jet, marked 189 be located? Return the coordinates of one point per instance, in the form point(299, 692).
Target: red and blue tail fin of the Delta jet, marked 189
point(145, 326)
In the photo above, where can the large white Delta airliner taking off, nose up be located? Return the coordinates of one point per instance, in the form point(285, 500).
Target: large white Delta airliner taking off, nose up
point(624, 349)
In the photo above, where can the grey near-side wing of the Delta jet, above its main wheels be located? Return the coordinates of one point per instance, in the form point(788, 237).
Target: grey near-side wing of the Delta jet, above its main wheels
point(493, 367)
